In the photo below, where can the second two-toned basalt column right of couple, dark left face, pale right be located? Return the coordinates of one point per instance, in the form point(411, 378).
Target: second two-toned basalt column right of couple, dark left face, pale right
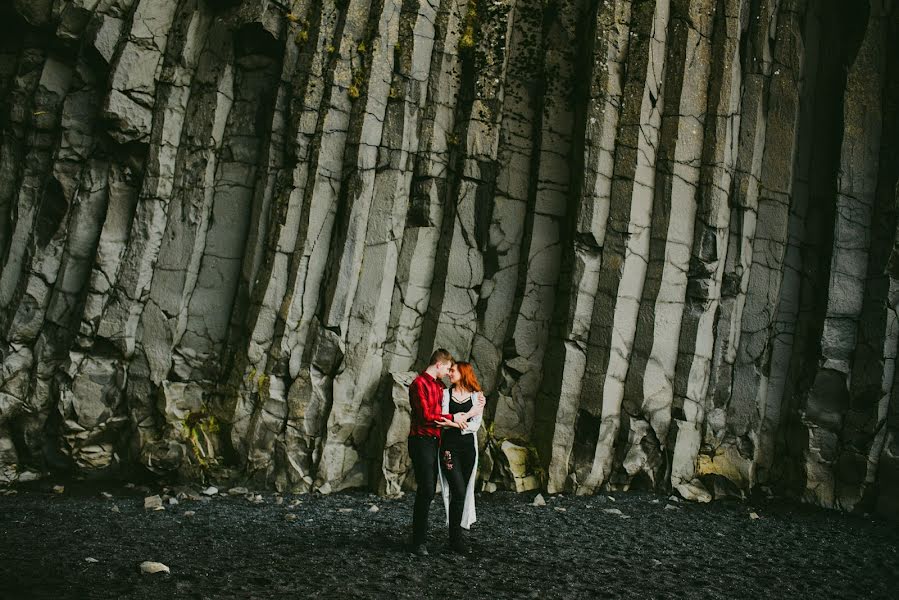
point(649, 390)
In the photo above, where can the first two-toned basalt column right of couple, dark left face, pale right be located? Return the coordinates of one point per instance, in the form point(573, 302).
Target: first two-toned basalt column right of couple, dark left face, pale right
point(627, 238)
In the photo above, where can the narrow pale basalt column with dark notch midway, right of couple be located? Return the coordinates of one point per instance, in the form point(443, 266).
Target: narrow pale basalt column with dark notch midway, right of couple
point(557, 410)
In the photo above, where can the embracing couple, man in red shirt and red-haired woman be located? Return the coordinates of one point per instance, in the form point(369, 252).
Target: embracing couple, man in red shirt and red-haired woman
point(443, 444)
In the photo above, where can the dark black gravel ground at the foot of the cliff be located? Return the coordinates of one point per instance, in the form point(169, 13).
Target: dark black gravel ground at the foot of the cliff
point(338, 547)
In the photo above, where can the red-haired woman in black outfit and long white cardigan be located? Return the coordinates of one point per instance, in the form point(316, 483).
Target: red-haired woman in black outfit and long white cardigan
point(459, 450)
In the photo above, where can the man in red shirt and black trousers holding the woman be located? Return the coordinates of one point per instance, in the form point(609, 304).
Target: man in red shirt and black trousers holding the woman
point(426, 399)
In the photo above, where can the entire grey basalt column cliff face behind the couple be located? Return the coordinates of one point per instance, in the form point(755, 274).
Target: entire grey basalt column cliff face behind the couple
point(664, 231)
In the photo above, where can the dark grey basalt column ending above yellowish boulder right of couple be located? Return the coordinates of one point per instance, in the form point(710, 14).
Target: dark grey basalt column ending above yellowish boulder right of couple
point(521, 372)
